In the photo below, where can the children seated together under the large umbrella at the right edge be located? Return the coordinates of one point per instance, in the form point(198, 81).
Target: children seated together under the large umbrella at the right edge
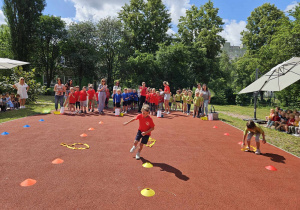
point(287, 121)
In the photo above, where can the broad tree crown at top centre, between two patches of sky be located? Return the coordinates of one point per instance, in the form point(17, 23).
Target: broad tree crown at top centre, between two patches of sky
point(147, 22)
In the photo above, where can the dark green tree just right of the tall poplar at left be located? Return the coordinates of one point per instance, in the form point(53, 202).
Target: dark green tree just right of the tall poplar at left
point(51, 33)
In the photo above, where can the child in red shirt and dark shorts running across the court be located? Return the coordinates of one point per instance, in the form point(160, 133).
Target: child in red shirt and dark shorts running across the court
point(146, 125)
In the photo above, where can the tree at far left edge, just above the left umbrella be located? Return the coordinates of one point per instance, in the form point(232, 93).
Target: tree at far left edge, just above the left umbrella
point(5, 42)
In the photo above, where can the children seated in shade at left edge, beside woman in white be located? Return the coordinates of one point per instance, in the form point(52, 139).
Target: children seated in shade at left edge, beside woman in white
point(9, 101)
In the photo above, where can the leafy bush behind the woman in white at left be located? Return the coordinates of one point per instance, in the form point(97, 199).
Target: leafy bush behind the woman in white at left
point(35, 88)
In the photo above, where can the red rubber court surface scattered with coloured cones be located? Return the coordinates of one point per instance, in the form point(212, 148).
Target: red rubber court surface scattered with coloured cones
point(195, 166)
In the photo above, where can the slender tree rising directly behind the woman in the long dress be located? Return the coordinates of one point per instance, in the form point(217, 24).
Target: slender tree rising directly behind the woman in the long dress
point(110, 34)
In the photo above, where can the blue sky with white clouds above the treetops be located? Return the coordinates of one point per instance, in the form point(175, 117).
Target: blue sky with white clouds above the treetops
point(233, 12)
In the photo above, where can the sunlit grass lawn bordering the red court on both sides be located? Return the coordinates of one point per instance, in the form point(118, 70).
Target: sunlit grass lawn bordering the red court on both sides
point(230, 114)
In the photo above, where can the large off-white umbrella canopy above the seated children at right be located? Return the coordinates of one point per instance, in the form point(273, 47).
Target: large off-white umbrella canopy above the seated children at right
point(278, 78)
